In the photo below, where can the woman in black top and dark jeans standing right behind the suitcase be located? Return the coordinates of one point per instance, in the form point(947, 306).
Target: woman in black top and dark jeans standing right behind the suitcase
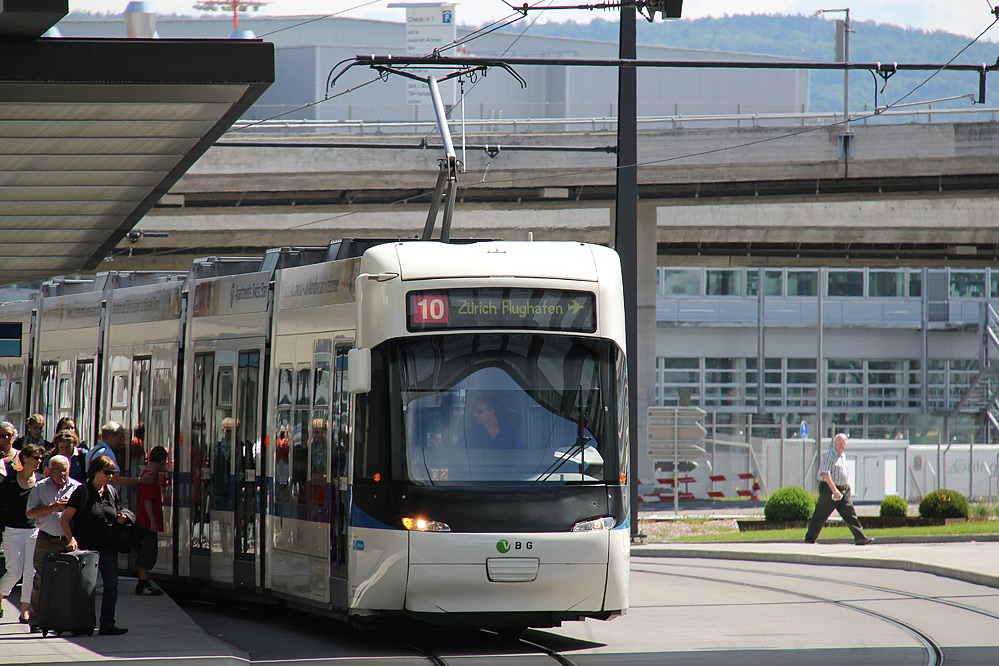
point(88, 522)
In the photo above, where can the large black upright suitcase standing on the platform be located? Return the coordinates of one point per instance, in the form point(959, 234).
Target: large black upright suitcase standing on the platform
point(66, 600)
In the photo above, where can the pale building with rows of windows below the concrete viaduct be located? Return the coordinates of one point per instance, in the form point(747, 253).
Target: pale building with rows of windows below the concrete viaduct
point(898, 349)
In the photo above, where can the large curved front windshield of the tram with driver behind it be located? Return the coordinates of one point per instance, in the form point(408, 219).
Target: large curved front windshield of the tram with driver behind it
point(510, 408)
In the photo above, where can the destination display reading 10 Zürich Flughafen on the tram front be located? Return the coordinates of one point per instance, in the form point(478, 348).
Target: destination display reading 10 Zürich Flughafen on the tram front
point(502, 308)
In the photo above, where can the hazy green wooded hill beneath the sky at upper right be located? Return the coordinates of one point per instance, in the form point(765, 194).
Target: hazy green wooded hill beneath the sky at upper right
point(813, 38)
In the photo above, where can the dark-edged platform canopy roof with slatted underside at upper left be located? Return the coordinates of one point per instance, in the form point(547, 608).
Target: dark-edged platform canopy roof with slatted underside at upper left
point(94, 132)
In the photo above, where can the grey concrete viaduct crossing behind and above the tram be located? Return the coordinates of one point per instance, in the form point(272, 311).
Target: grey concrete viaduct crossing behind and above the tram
point(910, 194)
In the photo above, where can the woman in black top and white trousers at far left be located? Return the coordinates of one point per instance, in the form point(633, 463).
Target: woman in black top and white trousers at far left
point(20, 532)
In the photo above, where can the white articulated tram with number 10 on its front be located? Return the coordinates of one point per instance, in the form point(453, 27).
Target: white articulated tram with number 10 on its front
point(418, 429)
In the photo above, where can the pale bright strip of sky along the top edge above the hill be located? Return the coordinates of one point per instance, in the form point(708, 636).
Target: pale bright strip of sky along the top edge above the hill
point(963, 17)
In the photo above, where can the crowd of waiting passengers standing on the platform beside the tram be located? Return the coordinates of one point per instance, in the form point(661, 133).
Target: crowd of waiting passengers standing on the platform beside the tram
point(63, 496)
